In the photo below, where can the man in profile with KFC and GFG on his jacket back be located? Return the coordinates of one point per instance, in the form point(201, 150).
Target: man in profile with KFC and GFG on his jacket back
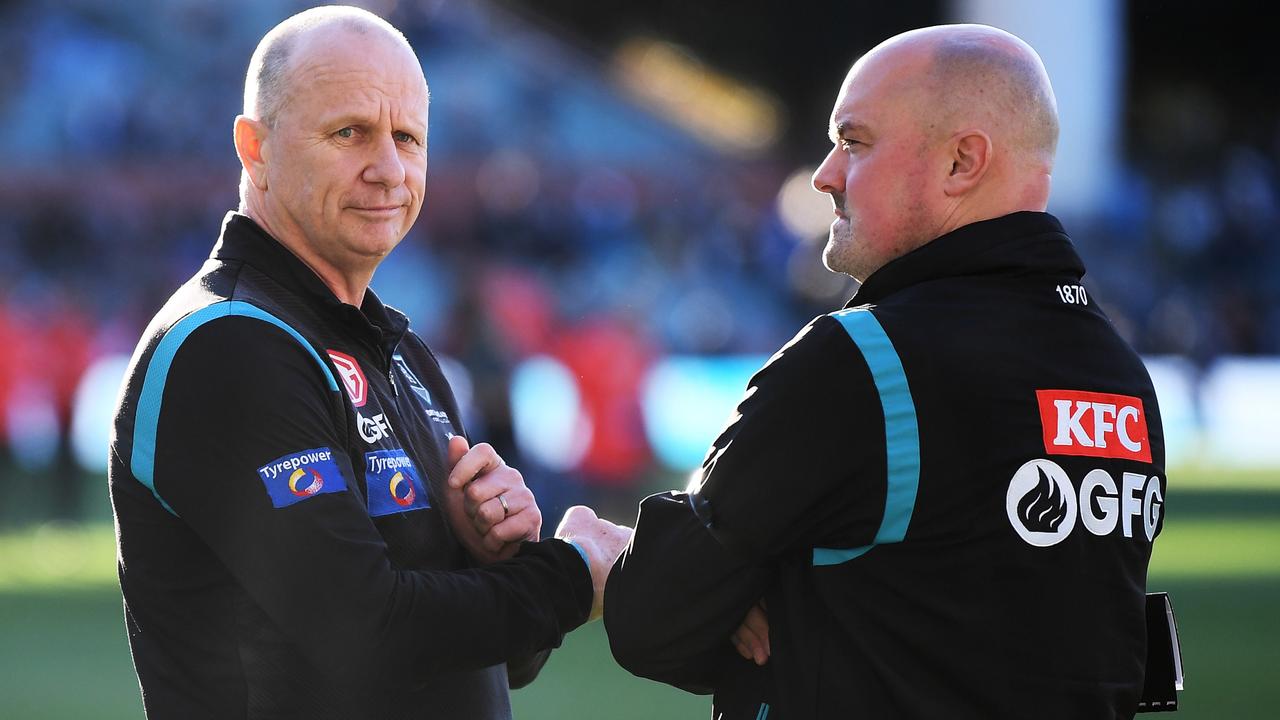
point(945, 494)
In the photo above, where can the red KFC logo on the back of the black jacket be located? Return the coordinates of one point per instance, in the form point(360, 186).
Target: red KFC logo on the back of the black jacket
point(1095, 425)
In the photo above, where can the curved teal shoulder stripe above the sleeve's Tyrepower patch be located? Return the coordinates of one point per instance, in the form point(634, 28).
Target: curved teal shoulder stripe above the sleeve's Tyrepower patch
point(148, 418)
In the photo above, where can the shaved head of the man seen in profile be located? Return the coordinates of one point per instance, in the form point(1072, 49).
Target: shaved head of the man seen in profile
point(934, 130)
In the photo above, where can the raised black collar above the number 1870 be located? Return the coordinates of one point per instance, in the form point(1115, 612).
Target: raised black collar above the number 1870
point(1011, 245)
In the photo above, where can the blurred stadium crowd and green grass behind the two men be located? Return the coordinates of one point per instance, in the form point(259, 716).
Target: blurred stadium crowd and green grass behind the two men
point(618, 231)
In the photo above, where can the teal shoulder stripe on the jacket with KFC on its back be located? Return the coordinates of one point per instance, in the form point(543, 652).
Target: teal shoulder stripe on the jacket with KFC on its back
point(902, 434)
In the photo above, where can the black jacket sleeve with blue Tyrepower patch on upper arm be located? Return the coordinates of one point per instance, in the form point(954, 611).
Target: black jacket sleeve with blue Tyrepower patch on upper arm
point(241, 399)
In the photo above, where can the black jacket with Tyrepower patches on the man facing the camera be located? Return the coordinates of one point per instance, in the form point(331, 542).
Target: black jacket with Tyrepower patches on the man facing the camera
point(276, 471)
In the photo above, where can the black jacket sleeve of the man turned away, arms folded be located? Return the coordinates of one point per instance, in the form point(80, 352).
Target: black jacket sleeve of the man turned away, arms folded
point(801, 464)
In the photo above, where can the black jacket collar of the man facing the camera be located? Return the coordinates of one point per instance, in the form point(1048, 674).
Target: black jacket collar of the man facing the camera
point(246, 241)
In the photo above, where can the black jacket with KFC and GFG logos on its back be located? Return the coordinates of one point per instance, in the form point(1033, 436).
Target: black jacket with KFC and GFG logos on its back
point(963, 618)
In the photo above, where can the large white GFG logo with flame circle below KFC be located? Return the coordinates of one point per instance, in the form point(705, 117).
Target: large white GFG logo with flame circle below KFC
point(1044, 505)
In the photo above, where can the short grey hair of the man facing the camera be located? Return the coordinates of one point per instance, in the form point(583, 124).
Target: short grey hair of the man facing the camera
point(267, 84)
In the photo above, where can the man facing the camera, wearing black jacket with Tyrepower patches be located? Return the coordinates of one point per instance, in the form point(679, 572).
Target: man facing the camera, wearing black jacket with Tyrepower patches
point(304, 530)
